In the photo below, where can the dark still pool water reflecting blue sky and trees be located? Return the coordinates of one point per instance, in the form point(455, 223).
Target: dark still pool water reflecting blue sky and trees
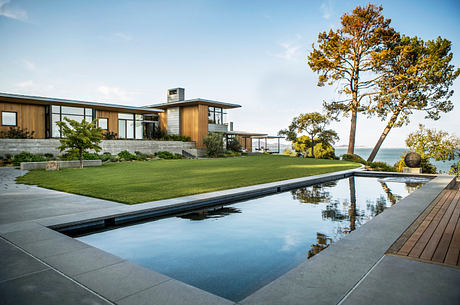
point(234, 250)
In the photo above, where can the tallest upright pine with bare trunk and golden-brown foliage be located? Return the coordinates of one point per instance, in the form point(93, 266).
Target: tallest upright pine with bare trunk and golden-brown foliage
point(344, 56)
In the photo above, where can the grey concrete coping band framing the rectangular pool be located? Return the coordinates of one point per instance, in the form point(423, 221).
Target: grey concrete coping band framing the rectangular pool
point(56, 250)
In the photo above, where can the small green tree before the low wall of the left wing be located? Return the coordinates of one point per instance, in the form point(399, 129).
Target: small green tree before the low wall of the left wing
point(79, 137)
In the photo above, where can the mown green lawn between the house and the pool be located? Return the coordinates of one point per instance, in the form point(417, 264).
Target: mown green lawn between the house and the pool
point(142, 181)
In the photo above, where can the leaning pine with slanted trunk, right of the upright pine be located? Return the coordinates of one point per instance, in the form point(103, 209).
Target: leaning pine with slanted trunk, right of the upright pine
point(415, 76)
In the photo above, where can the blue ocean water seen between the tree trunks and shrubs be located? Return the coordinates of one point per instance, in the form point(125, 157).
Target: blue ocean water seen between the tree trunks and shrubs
point(393, 155)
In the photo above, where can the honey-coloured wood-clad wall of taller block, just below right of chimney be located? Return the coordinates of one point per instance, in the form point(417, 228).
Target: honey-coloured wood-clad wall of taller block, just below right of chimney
point(194, 123)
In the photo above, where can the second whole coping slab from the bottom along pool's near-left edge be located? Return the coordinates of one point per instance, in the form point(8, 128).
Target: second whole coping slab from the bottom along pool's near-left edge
point(81, 261)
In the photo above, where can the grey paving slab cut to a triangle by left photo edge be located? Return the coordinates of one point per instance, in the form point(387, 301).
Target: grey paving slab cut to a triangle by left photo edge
point(16, 263)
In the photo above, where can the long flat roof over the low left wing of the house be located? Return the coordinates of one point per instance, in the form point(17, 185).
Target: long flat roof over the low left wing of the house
point(40, 100)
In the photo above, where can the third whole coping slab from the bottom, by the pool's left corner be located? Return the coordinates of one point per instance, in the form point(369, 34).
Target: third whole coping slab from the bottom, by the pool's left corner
point(50, 247)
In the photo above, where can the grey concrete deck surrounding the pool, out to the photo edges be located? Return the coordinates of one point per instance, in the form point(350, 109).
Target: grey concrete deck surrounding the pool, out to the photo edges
point(42, 266)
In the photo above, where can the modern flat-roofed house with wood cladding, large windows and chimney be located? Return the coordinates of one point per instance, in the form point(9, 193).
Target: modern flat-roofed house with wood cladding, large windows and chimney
point(195, 118)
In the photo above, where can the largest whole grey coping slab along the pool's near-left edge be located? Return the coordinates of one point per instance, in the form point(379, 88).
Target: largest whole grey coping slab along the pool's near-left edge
point(120, 280)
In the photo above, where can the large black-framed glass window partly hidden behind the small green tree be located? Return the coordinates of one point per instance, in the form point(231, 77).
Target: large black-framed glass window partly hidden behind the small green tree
point(73, 113)
